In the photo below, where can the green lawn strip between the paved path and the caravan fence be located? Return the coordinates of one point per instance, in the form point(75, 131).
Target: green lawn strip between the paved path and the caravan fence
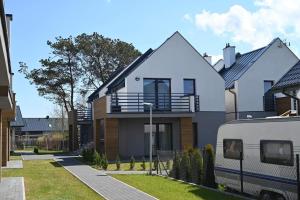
point(164, 188)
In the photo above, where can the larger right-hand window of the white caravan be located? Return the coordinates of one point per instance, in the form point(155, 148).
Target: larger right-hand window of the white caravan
point(276, 152)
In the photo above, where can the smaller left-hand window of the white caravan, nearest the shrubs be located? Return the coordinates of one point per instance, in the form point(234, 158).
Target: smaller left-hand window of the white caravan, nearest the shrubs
point(232, 148)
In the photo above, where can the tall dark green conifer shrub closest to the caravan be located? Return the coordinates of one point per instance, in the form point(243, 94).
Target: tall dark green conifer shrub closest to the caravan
point(208, 166)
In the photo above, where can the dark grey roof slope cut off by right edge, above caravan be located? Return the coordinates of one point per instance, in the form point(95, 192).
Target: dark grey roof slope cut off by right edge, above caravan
point(290, 80)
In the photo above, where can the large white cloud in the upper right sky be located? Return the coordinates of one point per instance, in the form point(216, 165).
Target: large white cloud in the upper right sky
point(272, 18)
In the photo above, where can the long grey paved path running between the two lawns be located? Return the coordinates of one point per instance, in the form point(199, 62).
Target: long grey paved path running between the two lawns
point(107, 186)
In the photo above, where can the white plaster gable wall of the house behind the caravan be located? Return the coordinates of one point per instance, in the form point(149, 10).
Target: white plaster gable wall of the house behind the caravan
point(272, 65)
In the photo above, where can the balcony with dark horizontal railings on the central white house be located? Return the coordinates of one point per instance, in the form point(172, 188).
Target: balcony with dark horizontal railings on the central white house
point(162, 103)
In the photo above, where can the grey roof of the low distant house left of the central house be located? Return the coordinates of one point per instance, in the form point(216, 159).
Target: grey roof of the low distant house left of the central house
point(43, 124)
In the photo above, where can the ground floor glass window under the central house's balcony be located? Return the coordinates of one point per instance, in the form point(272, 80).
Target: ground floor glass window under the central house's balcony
point(161, 137)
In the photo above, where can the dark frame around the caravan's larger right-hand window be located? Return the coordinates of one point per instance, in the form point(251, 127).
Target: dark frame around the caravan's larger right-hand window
point(273, 161)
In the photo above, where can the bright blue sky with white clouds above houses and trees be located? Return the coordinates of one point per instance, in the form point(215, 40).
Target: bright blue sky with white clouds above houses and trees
point(207, 25)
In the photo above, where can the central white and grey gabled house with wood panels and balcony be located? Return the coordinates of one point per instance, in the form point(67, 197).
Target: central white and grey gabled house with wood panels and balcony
point(187, 96)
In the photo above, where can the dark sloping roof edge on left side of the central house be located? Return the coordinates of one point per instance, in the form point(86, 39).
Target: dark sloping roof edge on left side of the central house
point(118, 71)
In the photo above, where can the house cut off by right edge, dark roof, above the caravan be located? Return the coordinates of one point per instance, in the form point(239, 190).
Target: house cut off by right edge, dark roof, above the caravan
point(289, 86)
